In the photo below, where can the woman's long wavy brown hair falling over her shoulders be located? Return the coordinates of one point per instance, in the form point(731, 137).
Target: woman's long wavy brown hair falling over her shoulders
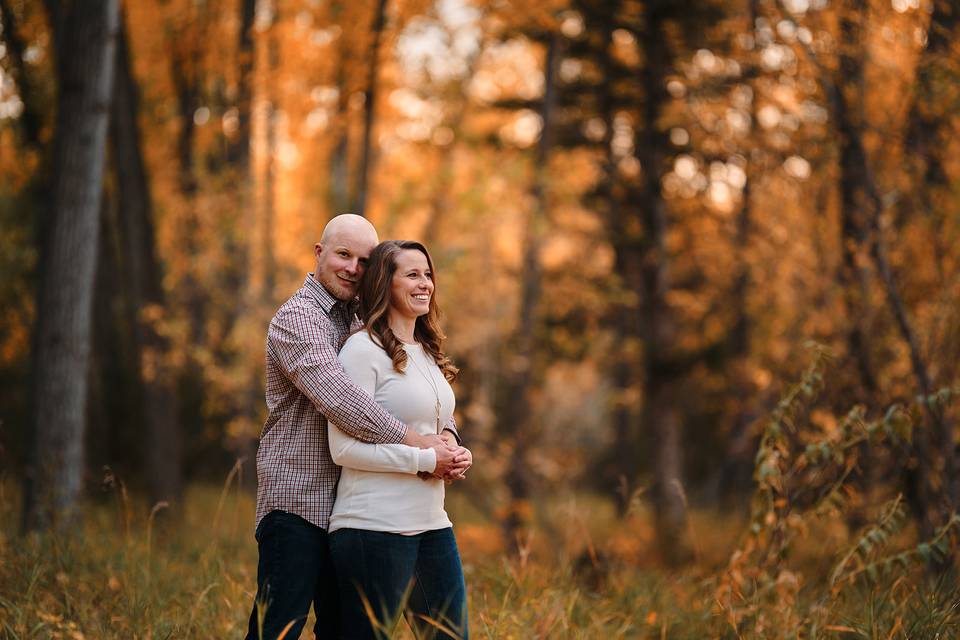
point(375, 306)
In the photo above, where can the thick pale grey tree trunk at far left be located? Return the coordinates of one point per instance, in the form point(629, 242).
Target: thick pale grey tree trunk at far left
point(84, 39)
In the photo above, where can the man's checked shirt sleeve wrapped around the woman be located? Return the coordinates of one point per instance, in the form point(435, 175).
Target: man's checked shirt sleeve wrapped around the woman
point(300, 344)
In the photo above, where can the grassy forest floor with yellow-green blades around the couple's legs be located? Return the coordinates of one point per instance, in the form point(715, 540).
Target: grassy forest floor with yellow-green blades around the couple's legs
point(125, 574)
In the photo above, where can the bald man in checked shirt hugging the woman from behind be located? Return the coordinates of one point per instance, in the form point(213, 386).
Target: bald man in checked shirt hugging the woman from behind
point(296, 477)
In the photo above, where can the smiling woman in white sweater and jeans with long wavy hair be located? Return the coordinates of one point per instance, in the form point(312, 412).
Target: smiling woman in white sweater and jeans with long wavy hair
point(390, 538)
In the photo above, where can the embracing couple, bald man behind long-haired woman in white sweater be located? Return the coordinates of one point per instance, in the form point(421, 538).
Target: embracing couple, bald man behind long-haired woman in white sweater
point(358, 444)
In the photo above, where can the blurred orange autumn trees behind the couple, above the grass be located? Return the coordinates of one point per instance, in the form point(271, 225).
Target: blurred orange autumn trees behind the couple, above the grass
point(641, 212)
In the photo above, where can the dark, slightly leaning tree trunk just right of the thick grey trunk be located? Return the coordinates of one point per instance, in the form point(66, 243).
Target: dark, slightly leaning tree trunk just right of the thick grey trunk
point(144, 289)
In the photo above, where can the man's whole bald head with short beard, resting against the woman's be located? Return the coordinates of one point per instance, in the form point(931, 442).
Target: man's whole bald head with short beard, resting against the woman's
point(342, 254)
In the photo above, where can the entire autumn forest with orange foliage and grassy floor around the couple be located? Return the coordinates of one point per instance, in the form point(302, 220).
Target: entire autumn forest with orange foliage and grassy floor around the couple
point(698, 262)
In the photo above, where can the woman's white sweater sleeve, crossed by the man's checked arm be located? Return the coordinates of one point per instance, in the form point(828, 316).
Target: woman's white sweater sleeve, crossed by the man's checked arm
point(361, 366)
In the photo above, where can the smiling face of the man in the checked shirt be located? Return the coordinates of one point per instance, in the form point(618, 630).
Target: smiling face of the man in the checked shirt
point(342, 261)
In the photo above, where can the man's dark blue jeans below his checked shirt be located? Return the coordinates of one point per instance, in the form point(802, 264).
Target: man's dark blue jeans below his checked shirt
point(294, 571)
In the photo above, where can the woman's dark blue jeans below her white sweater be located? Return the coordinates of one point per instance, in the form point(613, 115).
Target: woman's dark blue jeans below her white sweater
point(418, 575)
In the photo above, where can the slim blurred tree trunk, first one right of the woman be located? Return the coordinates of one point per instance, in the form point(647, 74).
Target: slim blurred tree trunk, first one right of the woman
point(522, 377)
